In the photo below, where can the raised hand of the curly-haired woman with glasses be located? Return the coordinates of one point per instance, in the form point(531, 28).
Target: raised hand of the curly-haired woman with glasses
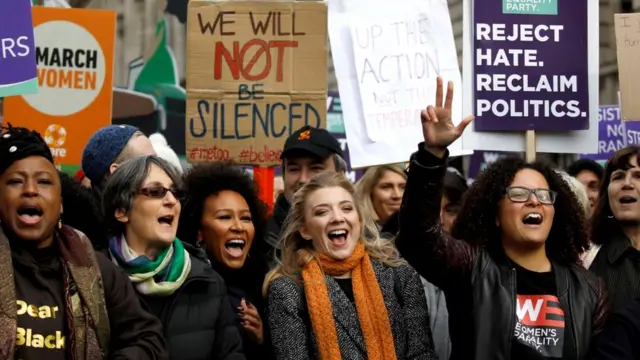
point(437, 127)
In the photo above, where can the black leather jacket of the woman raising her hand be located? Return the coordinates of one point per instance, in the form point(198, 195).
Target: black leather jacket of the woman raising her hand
point(481, 286)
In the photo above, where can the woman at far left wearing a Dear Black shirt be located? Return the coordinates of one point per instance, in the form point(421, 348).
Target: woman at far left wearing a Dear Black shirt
point(72, 303)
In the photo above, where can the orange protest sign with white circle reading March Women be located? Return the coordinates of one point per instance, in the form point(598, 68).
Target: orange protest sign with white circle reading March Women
point(74, 52)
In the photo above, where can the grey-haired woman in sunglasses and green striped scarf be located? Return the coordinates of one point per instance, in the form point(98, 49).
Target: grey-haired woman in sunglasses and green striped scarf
point(141, 202)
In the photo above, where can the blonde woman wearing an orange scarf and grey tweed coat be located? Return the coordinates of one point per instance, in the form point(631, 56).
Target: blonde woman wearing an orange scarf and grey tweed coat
point(339, 291)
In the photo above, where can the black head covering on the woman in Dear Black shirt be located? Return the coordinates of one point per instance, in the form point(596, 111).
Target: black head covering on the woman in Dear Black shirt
point(17, 143)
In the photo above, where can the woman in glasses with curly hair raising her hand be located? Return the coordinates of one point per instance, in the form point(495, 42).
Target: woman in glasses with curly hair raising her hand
point(510, 269)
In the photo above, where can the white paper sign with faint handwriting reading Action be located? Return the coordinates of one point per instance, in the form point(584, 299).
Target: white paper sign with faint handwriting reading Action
point(385, 82)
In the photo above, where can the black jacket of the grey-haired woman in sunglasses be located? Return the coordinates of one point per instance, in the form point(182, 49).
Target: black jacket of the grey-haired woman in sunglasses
point(198, 321)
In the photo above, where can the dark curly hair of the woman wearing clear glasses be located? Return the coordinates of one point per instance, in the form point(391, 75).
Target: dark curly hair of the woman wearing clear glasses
point(476, 221)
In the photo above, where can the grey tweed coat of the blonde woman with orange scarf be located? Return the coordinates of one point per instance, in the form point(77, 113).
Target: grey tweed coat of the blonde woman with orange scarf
point(293, 336)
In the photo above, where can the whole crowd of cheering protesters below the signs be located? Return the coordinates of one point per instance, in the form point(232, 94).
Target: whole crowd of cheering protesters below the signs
point(138, 258)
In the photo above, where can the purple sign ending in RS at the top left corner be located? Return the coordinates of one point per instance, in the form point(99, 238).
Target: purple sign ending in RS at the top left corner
point(18, 73)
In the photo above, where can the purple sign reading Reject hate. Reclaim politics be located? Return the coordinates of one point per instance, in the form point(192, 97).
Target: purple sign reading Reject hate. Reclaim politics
point(530, 65)
